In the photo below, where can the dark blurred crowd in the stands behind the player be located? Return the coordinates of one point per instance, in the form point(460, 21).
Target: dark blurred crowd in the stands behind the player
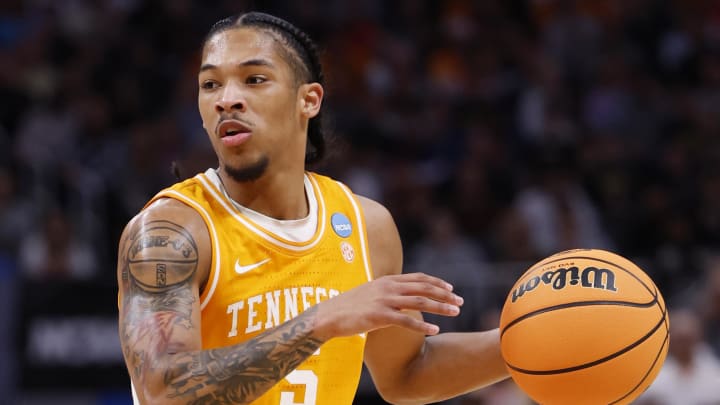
point(525, 127)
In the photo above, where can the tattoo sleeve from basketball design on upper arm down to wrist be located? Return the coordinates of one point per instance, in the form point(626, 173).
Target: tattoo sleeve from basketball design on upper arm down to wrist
point(157, 265)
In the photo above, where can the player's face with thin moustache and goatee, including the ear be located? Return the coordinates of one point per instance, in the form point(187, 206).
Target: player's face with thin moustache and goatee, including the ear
point(251, 104)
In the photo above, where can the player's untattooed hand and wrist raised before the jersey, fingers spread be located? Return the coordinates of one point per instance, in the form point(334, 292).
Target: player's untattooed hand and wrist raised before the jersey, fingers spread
point(385, 302)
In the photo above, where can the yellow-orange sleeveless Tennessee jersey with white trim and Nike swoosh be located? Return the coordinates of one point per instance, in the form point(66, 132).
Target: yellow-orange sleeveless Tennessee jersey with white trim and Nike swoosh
point(259, 280)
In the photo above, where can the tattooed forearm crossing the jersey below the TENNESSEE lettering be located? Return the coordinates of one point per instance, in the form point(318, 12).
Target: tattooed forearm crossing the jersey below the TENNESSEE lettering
point(235, 374)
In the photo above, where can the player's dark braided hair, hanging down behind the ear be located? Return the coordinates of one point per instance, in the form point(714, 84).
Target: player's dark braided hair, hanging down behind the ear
point(302, 57)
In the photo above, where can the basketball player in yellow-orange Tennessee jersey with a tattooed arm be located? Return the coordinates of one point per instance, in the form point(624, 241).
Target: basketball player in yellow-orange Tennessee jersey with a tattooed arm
point(260, 282)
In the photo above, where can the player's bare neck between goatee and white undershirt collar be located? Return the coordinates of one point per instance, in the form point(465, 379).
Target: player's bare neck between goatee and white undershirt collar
point(279, 196)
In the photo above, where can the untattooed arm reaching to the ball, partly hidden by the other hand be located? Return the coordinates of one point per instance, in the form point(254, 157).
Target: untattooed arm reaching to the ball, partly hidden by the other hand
point(407, 367)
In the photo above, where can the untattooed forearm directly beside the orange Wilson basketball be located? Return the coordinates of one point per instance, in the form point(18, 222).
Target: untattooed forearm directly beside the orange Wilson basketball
point(452, 364)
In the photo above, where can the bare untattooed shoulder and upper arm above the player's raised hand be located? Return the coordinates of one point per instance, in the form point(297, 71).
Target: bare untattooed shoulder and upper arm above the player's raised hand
point(383, 238)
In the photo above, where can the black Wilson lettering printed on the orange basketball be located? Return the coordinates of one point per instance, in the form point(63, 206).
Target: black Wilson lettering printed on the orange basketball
point(590, 277)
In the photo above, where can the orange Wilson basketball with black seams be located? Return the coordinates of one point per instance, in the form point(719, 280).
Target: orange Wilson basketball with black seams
point(584, 326)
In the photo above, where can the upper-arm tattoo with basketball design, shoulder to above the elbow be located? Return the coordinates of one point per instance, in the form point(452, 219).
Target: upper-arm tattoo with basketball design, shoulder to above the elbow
point(157, 263)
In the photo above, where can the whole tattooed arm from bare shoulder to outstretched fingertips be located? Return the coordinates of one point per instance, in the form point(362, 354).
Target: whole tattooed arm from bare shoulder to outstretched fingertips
point(164, 260)
